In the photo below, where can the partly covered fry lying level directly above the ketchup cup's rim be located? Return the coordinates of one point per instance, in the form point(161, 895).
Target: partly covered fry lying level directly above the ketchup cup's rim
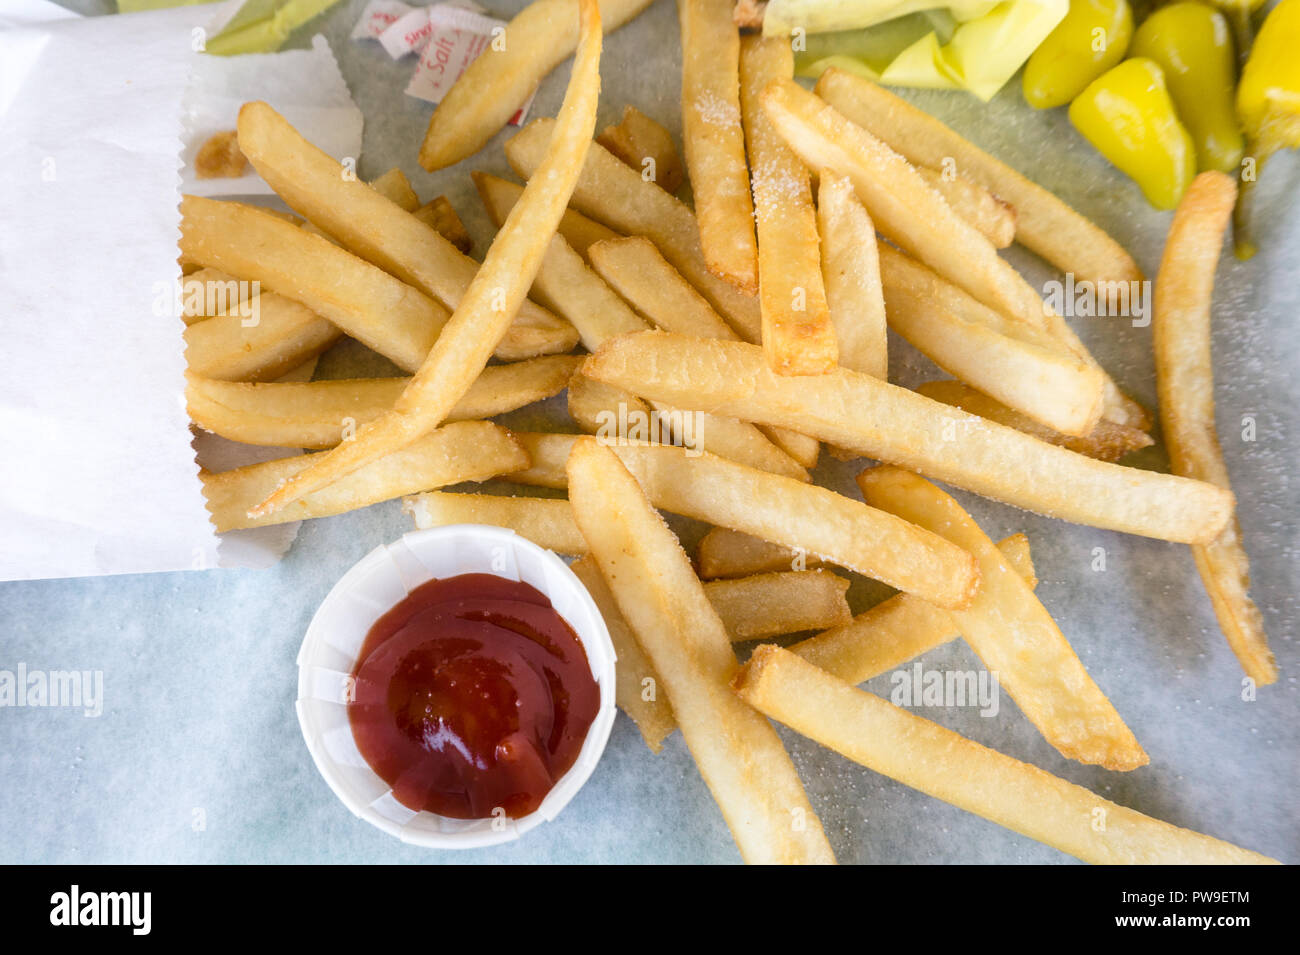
point(547, 522)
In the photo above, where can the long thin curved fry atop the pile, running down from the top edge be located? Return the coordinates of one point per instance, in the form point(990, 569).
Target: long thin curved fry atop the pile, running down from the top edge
point(493, 298)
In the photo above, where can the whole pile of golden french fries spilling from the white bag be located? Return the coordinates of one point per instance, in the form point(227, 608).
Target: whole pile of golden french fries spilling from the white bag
point(748, 331)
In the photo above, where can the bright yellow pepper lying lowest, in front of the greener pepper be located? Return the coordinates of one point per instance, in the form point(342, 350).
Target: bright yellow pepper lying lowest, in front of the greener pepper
point(1129, 116)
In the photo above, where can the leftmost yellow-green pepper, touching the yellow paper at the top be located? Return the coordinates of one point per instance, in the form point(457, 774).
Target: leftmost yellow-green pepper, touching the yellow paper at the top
point(1091, 40)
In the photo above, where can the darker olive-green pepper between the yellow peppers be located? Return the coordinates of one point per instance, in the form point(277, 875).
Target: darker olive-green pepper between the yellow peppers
point(1194, 47)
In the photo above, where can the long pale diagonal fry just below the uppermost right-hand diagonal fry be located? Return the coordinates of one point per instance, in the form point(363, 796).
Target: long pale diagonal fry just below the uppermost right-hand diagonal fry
point(902, 205)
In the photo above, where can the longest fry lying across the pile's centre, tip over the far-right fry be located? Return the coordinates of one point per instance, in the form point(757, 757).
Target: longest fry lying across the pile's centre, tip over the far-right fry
point(900, 427)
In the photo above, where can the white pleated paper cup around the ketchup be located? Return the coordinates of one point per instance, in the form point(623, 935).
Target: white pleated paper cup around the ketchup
point(370, 591)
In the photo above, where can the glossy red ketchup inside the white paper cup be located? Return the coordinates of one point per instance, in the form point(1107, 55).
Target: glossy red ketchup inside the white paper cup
point(471, 696)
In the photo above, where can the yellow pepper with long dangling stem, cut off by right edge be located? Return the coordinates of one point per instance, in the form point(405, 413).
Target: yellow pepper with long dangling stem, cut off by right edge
point(1268, 106)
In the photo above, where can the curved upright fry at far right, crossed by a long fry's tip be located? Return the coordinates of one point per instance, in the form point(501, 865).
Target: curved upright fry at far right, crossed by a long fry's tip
point(1185, 376)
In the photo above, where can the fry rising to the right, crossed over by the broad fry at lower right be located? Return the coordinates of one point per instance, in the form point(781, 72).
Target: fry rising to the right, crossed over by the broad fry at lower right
point(896, 631)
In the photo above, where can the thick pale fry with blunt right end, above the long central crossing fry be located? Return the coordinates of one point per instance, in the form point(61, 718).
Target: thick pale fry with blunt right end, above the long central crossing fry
point(1039, 380)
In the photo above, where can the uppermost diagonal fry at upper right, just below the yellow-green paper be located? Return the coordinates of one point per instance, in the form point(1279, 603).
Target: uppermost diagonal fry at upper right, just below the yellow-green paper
point(1043, 223)
